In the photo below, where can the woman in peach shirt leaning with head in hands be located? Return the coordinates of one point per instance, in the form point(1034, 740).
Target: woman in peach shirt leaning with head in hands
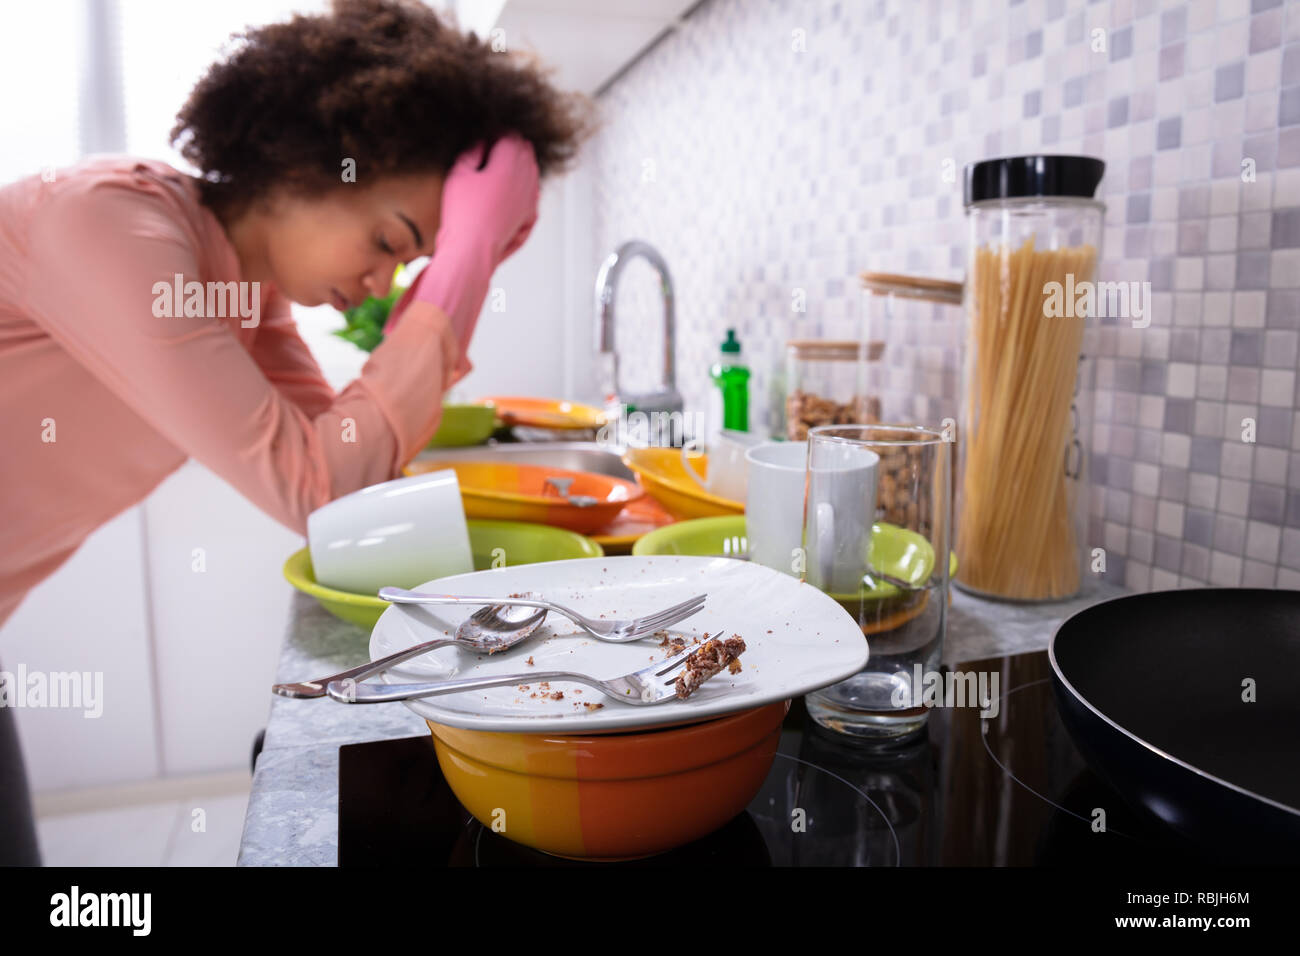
point(332, 150)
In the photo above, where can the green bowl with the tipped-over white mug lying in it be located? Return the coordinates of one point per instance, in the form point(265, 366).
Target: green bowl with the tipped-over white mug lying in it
point(521, 543)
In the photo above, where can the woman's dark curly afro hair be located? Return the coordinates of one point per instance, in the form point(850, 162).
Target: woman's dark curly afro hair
point(384, 83)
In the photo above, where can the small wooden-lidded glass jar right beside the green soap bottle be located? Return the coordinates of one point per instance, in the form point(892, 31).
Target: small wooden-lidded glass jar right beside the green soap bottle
point(826, 384)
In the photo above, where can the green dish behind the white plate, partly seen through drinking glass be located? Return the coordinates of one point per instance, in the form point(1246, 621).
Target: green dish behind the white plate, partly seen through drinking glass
point(896, 552)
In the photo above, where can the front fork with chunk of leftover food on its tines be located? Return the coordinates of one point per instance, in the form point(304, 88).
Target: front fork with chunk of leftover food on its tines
point(642, 687)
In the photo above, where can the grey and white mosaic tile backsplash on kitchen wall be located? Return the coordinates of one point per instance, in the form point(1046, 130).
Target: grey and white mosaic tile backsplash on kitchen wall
point(774, 150)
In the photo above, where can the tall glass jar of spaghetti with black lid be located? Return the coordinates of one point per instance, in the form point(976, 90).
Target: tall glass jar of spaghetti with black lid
point(1034, 245)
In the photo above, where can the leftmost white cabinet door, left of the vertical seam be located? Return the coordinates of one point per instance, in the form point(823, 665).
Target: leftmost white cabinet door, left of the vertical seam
point(92, 616)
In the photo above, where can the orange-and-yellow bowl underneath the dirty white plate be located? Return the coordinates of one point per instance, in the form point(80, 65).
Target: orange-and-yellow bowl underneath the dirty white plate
point(612, 797)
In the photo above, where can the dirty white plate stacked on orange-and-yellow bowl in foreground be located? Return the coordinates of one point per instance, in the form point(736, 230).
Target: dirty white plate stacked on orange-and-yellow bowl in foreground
point(570, 772)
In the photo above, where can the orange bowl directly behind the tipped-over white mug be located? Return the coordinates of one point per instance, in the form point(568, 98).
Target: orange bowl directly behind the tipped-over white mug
point(513, 492)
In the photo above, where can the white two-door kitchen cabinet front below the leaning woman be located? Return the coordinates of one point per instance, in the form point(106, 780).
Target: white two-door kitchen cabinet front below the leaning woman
point(187, 657)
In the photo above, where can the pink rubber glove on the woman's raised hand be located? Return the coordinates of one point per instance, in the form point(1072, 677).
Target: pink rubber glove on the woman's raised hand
point(487, 215)
